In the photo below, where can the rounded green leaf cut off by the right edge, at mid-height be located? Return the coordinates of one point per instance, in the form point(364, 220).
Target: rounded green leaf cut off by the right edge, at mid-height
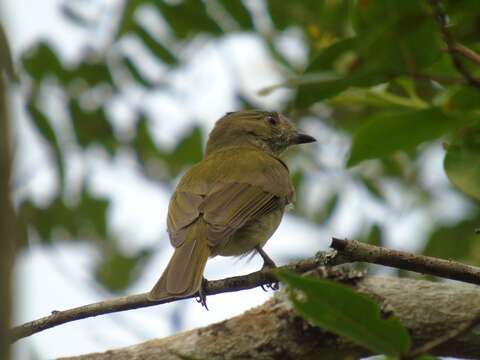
point(462, 165)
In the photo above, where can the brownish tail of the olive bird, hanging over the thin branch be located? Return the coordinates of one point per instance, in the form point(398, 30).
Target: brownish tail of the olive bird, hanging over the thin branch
point(184, 273)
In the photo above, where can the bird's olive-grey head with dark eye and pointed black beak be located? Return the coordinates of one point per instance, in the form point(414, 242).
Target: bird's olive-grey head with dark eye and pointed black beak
point(269, 131)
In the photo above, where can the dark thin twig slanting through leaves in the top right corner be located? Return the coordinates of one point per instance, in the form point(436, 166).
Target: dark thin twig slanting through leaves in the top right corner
point(452, 47)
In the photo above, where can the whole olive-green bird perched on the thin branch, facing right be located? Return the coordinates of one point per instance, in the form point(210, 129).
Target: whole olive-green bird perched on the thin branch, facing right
point(231, 202)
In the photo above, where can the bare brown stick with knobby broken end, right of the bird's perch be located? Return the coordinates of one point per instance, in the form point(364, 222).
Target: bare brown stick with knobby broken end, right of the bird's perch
point(357, 251)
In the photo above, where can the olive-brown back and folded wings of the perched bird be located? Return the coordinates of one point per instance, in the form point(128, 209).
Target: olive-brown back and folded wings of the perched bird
point(226, 195)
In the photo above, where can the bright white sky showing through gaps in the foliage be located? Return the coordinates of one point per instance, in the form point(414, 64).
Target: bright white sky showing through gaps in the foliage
point(60, 277)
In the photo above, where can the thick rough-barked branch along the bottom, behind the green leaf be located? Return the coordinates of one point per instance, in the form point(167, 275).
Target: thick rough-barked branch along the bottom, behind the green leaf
point(274, 331)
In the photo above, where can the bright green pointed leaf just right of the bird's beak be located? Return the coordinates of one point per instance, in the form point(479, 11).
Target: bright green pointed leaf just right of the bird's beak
point(389, 132)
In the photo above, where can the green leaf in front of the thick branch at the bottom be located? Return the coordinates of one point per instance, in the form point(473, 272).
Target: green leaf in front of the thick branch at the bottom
point(340, 309)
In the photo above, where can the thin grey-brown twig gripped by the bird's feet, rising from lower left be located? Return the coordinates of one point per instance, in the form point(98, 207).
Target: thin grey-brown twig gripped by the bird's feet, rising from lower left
point(140, 300)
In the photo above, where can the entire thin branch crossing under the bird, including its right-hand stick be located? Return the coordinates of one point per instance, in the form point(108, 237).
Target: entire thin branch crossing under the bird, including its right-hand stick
point(346, 251)
